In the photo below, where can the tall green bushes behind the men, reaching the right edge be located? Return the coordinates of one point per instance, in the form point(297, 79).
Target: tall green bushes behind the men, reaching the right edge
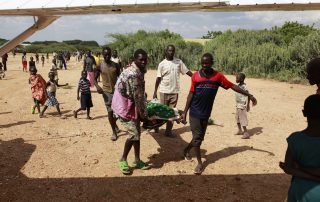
point(279, 53)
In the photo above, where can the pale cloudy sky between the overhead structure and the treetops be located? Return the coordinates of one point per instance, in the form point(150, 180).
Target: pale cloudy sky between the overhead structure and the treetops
point(189, 25)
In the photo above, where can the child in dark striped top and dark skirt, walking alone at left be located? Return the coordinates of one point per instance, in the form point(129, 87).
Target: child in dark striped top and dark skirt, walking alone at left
point(85, 98)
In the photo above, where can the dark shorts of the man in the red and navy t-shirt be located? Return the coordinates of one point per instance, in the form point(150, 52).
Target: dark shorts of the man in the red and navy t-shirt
point(198, 128)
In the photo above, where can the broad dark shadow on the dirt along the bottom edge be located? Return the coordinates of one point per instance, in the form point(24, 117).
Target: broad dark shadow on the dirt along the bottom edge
point(15, 186)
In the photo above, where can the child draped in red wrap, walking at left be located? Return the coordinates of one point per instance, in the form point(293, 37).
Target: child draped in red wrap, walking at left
point(38, 89)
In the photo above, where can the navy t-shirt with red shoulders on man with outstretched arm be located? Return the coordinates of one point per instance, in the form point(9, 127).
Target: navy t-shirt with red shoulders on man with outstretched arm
point(204, 92)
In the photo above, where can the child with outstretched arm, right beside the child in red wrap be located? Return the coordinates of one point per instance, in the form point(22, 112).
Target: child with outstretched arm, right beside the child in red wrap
point(51, 92)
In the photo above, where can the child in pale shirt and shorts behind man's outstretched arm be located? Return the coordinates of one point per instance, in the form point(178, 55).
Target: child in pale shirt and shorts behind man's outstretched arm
point(242, 107)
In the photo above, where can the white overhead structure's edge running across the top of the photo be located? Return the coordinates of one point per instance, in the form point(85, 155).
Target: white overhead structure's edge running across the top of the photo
point(75, 7)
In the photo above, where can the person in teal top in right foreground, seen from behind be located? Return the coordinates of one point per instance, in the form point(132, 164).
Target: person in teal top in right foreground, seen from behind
point(302, 157)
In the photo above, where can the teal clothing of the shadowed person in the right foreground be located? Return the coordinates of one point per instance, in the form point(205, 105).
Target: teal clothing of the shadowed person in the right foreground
point(306, 151)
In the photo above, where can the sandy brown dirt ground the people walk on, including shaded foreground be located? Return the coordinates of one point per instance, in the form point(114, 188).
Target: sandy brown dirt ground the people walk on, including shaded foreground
point(53, 159)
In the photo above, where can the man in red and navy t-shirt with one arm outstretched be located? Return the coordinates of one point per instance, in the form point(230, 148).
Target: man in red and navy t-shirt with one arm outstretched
point(204, 88)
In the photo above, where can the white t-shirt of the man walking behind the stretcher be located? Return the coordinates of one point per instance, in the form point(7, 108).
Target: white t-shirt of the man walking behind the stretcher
point(170, 71)
